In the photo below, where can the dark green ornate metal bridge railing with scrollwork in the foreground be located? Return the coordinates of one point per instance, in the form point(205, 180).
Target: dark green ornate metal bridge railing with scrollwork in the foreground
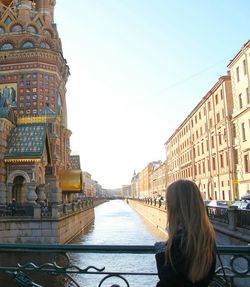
point(59, 263)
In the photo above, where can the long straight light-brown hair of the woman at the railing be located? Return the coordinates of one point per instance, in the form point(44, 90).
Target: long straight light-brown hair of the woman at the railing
point(187, 215)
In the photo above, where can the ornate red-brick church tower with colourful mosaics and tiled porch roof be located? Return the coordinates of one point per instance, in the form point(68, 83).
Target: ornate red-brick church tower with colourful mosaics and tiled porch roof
point(35, 139)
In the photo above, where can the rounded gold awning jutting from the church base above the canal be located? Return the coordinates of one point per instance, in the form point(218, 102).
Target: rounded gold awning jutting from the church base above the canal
point(71, 180)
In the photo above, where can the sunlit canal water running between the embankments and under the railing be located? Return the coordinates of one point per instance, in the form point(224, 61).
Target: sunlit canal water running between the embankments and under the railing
point(117, 224)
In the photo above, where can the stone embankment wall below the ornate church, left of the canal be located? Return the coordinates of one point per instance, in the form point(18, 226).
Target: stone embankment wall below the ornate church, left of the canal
point(59, 228)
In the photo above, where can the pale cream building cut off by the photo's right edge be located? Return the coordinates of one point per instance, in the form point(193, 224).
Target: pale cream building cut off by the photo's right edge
point(240, 77)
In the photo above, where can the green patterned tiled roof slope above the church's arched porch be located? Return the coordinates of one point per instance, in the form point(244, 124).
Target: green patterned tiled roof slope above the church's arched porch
point(26, 141)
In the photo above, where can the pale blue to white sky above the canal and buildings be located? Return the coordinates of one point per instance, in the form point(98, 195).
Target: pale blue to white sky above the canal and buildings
point(138, 68)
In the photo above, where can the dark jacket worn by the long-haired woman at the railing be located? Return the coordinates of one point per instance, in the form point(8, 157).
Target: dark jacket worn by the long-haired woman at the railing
point(178, 276)
